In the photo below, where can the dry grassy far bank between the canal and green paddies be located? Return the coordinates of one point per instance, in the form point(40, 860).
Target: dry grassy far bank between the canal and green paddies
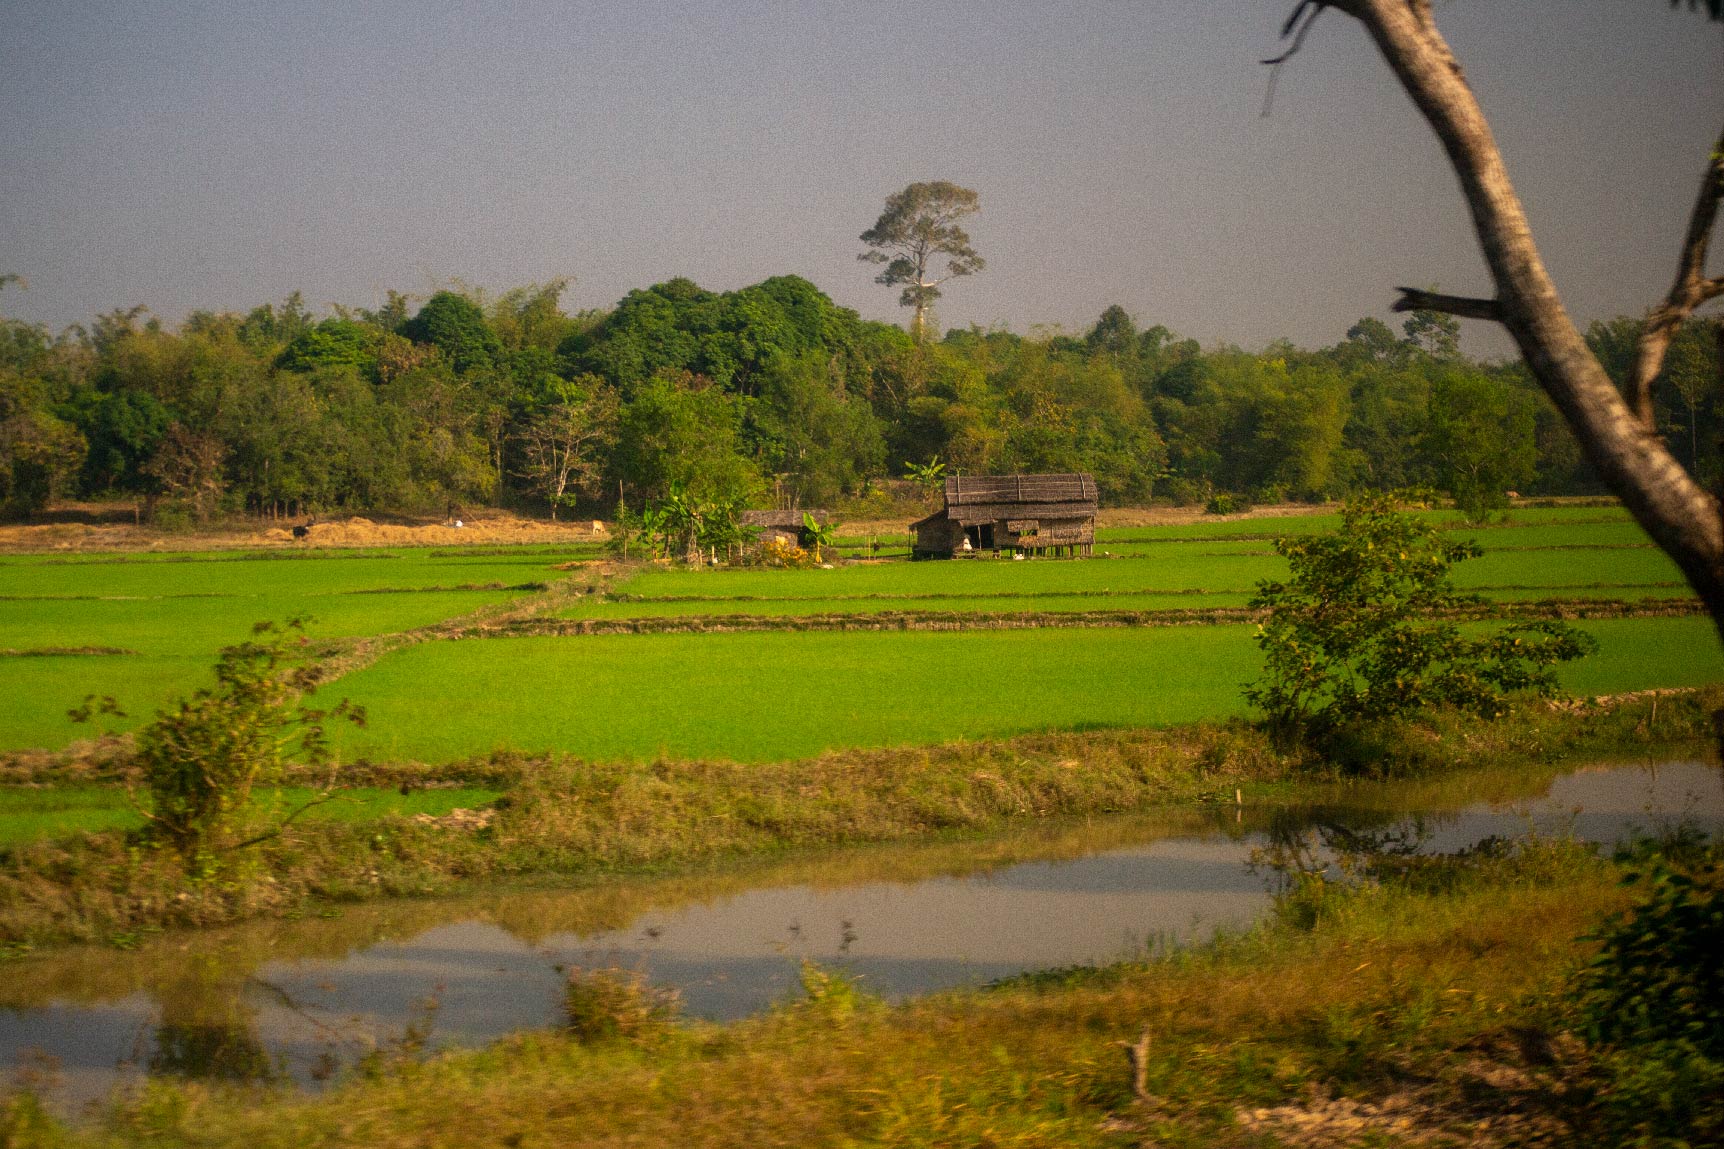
point(572, 817)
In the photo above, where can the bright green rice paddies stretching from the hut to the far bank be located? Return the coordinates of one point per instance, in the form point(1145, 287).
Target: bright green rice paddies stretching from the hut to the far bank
point(144, 629)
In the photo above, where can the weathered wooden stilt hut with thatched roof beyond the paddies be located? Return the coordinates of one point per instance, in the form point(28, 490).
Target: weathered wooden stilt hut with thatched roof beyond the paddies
point(1021, 513)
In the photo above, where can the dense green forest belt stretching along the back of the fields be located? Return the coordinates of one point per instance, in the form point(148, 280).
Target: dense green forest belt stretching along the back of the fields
point(768, 392)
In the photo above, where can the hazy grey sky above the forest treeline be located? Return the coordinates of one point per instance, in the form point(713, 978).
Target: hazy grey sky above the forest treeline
point(223, 154)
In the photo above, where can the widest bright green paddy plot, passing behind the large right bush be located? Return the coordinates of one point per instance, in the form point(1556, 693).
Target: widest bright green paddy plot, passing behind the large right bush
point(780, 696)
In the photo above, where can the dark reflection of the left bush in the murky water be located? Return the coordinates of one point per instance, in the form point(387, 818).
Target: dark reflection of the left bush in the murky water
point(208, 1029)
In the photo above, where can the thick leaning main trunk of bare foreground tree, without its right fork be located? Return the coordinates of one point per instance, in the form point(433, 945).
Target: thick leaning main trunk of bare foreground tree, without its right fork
point(1682, 517)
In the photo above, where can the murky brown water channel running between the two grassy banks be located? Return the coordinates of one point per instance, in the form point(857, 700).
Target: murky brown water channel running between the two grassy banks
point(297, 1000)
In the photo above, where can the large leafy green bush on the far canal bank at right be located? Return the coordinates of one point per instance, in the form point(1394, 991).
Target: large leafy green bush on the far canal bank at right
point(1356, 634)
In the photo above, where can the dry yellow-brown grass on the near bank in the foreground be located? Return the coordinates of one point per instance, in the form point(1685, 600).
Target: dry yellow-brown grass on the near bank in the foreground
point(1401, 1015)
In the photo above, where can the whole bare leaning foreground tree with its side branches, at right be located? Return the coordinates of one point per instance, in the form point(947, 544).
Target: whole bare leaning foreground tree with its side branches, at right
point(1615, 434)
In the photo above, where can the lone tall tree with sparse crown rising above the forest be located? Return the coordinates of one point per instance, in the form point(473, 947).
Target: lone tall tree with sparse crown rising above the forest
point(920, 225)
